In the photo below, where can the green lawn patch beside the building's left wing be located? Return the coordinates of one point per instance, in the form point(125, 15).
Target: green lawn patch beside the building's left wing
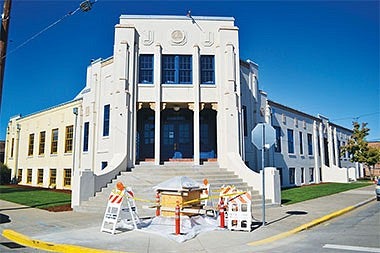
point(34, 197)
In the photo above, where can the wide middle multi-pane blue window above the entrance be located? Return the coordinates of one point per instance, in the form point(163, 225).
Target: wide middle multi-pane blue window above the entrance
point(176, 69)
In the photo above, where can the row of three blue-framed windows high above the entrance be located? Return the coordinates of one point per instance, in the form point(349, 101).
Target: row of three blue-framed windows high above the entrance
point(176, 69)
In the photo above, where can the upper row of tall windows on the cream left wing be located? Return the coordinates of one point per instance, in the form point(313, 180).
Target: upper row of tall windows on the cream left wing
point(69, 134)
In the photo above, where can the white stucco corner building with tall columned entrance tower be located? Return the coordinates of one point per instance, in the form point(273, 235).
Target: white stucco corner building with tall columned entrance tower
point(175, 89)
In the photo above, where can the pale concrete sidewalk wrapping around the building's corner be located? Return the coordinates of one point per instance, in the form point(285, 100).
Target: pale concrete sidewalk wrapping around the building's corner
point(84, 229)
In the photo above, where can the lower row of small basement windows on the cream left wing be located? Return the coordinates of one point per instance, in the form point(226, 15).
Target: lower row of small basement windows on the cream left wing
point(40, 176)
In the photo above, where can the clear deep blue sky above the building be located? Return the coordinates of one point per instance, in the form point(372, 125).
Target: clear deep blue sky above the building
point(314, 56)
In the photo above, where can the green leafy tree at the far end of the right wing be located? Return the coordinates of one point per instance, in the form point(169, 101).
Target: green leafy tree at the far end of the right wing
point(358, 148)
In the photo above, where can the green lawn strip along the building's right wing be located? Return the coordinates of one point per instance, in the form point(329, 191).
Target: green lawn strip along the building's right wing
point(299, 194)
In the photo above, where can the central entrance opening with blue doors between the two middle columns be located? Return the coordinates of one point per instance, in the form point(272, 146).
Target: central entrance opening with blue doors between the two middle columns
point(177, 134)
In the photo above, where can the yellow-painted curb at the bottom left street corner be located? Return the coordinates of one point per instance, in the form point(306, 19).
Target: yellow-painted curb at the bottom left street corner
point(47, 246)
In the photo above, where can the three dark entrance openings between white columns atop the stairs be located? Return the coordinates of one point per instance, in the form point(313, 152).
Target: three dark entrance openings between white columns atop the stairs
point(177, 134)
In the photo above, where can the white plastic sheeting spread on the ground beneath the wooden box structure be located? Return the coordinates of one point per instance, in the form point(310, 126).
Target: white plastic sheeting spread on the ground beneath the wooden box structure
point(165, 226)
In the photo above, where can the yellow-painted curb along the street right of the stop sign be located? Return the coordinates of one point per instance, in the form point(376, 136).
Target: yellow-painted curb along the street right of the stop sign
point(302, 227)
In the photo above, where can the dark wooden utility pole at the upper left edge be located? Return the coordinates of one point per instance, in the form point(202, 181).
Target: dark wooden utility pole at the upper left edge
point(3, 42)
